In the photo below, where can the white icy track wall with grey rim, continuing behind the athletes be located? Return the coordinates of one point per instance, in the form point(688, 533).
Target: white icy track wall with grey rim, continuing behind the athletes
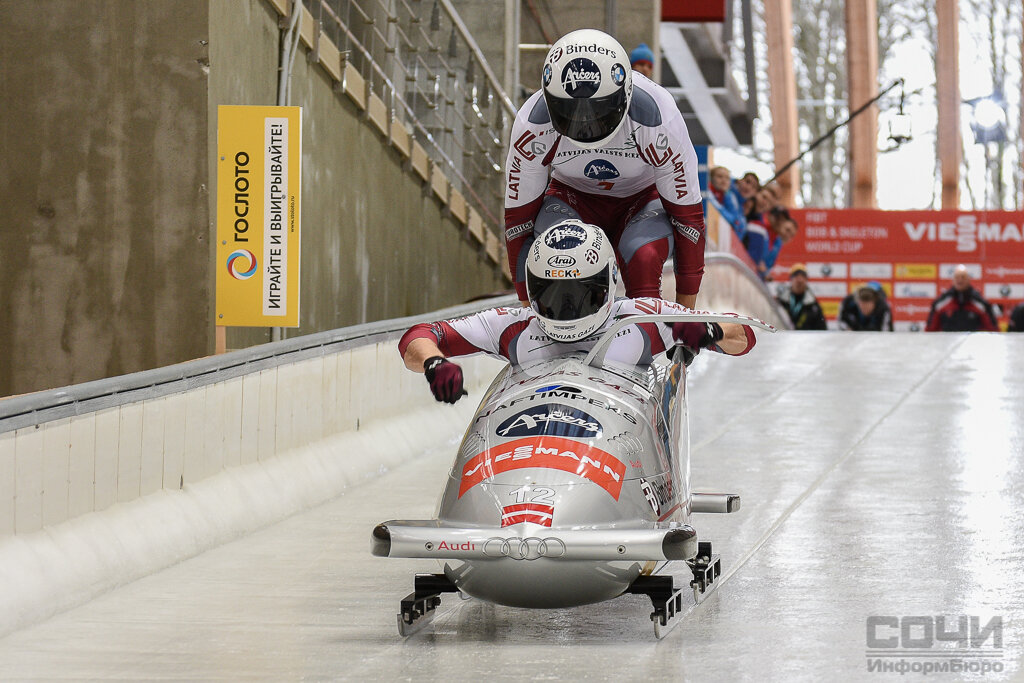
point(104, 483)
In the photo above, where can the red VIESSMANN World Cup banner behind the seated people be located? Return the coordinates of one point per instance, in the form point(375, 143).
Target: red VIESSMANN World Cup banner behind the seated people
point(911, 253)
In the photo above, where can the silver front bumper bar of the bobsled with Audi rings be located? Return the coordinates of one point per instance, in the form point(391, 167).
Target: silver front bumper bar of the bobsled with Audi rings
point(431, 540)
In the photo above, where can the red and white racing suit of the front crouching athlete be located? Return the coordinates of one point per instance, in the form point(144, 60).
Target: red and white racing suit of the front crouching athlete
point(516, 335)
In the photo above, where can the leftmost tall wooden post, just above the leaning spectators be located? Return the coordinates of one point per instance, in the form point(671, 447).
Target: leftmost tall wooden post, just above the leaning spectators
point(783, 100)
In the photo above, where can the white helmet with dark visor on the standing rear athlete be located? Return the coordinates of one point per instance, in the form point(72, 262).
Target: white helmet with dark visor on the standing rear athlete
point(587, 87)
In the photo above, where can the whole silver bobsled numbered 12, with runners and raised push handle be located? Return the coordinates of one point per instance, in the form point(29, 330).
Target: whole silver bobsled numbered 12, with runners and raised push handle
point(571, 487)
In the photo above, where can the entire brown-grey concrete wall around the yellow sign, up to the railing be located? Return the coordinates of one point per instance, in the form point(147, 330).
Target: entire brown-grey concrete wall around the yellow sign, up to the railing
point(109, 184)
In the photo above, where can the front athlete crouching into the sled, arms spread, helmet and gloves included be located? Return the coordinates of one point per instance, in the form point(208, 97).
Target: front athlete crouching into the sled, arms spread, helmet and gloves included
point(570, 308)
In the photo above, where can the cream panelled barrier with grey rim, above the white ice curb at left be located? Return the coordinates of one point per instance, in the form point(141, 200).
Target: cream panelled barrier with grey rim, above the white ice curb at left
point(82, 449)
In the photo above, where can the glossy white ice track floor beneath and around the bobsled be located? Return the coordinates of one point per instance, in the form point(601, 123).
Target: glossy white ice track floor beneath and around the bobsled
point(881, 476)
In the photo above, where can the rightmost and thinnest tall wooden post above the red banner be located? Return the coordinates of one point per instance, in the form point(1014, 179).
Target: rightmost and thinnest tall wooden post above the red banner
point(948, 88)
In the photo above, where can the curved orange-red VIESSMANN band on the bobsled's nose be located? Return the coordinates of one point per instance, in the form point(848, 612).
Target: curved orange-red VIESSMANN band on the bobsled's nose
point(550, 453)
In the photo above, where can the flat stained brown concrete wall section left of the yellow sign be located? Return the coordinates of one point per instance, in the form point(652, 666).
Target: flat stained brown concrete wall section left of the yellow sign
point(104, 268)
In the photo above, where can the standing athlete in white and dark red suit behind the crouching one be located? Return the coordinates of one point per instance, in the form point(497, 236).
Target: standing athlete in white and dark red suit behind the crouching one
point(606, 145)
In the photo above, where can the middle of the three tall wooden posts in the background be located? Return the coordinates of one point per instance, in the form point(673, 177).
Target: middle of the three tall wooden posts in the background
point(863, 68)
